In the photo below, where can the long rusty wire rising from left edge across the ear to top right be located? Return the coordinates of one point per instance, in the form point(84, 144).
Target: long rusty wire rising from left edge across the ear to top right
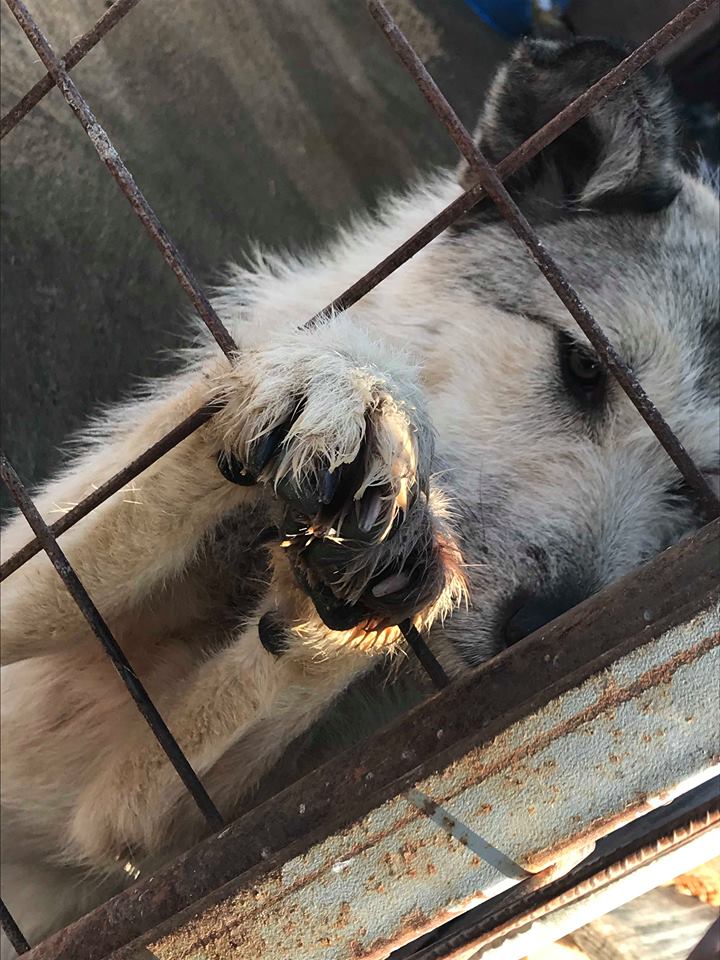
point(458, 208)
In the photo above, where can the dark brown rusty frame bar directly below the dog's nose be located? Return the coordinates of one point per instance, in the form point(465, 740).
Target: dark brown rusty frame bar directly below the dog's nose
point(624, 620)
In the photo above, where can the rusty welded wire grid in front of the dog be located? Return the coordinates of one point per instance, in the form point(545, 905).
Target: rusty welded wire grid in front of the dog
point(489, 186)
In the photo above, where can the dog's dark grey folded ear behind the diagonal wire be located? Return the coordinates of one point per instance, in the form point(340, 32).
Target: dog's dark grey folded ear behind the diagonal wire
point(623, 156)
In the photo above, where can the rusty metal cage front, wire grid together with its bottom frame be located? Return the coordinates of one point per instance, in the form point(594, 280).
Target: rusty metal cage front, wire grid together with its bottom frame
point(438, 747)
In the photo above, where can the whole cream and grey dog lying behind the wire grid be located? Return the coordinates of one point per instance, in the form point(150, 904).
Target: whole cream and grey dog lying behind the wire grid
point(448, 451)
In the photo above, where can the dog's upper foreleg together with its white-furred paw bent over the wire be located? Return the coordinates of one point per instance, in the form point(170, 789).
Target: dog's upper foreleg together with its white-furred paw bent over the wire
point(303, 412)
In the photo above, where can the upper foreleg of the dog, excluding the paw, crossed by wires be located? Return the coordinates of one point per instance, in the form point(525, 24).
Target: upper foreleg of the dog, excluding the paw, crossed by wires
point(142, 537)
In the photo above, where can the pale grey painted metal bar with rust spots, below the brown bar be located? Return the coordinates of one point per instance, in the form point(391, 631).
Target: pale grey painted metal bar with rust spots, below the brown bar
point(404, 866)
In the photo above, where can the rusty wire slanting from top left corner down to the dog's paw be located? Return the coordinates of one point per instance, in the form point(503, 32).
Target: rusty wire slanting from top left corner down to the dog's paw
point(124, 179)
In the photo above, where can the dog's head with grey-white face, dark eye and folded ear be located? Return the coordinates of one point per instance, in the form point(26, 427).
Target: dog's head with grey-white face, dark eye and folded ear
point(563, 486)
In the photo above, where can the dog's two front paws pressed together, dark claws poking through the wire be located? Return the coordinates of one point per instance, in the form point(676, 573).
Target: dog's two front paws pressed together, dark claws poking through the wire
point(336, 429)
